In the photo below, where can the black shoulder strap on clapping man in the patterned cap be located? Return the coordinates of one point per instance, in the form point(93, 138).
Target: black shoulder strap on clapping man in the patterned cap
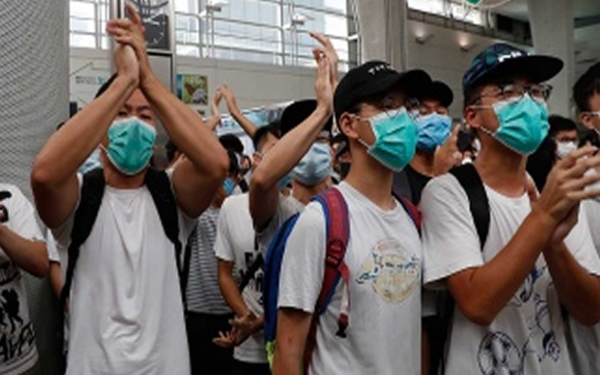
point(470, 181)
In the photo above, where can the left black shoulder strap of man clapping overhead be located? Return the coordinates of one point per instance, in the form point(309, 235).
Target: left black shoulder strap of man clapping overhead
point(90, 199)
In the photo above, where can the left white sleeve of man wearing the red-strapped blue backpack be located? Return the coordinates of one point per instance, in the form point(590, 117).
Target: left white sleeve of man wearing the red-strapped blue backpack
point(303, 263)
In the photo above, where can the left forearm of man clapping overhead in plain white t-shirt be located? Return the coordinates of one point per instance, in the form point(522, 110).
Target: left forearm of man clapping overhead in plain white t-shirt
point(70, 146)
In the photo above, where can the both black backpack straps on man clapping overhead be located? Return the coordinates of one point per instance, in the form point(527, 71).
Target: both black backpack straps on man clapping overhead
point(92, 192)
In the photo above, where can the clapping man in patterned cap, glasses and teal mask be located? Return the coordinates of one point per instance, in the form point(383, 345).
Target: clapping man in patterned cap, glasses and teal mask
point(509, 286)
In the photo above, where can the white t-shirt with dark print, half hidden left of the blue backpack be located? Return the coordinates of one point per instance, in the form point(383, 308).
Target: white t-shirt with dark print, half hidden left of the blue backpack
point(235, 243)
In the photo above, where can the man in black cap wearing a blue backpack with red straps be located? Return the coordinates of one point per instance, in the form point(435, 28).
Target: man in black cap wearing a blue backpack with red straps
point(383, 298)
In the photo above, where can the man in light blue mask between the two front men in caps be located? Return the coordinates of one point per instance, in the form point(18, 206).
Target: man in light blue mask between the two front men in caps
point(437, 148)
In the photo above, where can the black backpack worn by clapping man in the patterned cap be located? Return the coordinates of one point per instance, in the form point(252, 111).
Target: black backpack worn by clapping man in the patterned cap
point(471, 182)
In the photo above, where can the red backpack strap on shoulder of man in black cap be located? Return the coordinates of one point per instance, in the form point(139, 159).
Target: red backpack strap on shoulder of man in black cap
point(338, 233)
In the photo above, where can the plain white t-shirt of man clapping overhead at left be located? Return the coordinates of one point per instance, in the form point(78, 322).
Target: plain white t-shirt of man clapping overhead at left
point(125, 300)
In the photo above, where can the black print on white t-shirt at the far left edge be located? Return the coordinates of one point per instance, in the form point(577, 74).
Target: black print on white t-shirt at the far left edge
point(17, 338)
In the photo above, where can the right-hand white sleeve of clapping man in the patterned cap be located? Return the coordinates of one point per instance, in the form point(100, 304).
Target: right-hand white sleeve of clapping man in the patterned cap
point(580, 244)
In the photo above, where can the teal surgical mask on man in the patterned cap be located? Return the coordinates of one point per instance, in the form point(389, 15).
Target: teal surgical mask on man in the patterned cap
point(523, 124)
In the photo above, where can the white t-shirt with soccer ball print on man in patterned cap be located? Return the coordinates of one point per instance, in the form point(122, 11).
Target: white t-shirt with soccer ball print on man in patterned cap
point(527, 336)
